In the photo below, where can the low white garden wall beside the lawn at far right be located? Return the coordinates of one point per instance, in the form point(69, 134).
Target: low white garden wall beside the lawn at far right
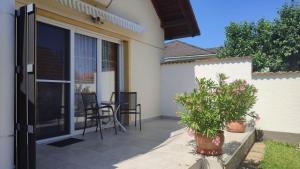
point(278, 102)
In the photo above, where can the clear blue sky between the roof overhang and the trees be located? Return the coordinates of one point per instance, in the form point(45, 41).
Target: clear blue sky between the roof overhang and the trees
point(214, 15)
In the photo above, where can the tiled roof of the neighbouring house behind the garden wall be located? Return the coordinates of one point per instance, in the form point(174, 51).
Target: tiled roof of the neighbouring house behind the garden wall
point(180, 52)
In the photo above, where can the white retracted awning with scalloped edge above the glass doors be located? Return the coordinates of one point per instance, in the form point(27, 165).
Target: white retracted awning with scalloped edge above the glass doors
point(96, 12)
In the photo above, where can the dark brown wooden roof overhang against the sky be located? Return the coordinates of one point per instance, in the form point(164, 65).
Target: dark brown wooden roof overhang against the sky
point(177, 18)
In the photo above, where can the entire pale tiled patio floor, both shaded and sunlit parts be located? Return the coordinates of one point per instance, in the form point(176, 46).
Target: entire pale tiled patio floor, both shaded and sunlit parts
point(162, 144)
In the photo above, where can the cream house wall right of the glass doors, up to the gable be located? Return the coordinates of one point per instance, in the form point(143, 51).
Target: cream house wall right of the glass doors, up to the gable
point(145, 51)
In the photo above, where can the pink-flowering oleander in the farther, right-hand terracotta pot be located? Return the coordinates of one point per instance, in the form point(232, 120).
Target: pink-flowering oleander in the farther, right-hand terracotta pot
point(241, 97)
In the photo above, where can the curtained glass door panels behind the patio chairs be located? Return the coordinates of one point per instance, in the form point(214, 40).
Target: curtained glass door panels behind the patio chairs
point(94, 72)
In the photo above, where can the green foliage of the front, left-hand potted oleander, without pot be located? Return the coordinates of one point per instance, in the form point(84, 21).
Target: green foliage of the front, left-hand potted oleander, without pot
point(201, 112)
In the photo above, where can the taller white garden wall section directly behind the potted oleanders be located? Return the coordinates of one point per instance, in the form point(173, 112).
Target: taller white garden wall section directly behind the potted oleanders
point(178, 78)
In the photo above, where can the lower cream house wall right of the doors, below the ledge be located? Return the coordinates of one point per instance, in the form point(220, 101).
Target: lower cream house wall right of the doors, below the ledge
point(144, 77)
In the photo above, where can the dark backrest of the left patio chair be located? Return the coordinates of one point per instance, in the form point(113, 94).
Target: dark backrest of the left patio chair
point(89, 101)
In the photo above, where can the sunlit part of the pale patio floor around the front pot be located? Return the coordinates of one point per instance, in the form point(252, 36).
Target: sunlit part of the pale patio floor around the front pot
point(178, 152)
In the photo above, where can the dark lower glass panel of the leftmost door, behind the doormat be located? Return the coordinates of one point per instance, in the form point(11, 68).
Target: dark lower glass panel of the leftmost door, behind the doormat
point(53, 107)
